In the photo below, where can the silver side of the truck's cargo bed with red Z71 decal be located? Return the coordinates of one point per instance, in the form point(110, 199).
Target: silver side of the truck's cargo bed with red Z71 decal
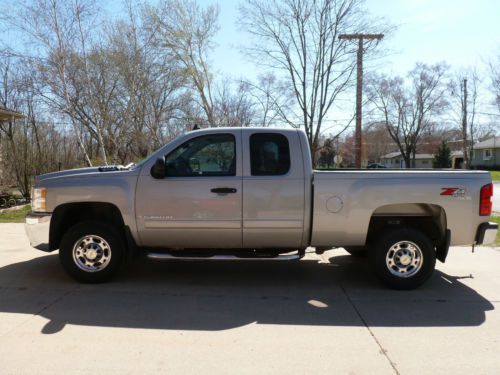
point(346, 200)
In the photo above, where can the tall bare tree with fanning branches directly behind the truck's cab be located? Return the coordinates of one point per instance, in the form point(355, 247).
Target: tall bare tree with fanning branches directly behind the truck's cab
point(299, 40)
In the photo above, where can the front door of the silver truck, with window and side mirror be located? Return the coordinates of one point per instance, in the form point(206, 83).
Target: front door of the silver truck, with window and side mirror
point(199, 203)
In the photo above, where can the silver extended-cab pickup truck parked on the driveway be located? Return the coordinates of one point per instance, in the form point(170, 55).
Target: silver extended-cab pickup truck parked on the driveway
point(250, 193)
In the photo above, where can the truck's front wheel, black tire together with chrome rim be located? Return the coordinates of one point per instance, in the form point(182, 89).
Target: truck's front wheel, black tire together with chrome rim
point(101, 241)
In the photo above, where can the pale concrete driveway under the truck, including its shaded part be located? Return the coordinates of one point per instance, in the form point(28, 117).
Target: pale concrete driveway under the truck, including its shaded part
point(322, 315)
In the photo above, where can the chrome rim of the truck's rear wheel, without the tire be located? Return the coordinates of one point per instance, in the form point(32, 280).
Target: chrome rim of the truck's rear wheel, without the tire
point(404, 259)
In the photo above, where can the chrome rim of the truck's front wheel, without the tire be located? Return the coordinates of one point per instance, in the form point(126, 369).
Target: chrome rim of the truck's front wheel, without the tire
point(92, 253)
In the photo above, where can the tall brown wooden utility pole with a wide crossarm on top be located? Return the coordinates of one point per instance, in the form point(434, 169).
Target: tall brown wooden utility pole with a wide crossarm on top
point(359, 87)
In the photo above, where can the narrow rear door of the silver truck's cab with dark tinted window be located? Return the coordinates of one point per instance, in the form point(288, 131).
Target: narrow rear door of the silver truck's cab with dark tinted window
point(274, 190)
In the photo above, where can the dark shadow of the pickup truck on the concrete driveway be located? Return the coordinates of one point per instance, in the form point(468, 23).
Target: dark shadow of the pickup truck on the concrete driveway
point(218, 296)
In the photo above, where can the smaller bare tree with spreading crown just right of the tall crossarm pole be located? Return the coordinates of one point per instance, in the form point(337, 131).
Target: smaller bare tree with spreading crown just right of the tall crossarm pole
point(409, 107)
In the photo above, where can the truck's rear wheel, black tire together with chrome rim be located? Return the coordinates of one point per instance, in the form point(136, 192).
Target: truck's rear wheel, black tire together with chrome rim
point(390, 257)
